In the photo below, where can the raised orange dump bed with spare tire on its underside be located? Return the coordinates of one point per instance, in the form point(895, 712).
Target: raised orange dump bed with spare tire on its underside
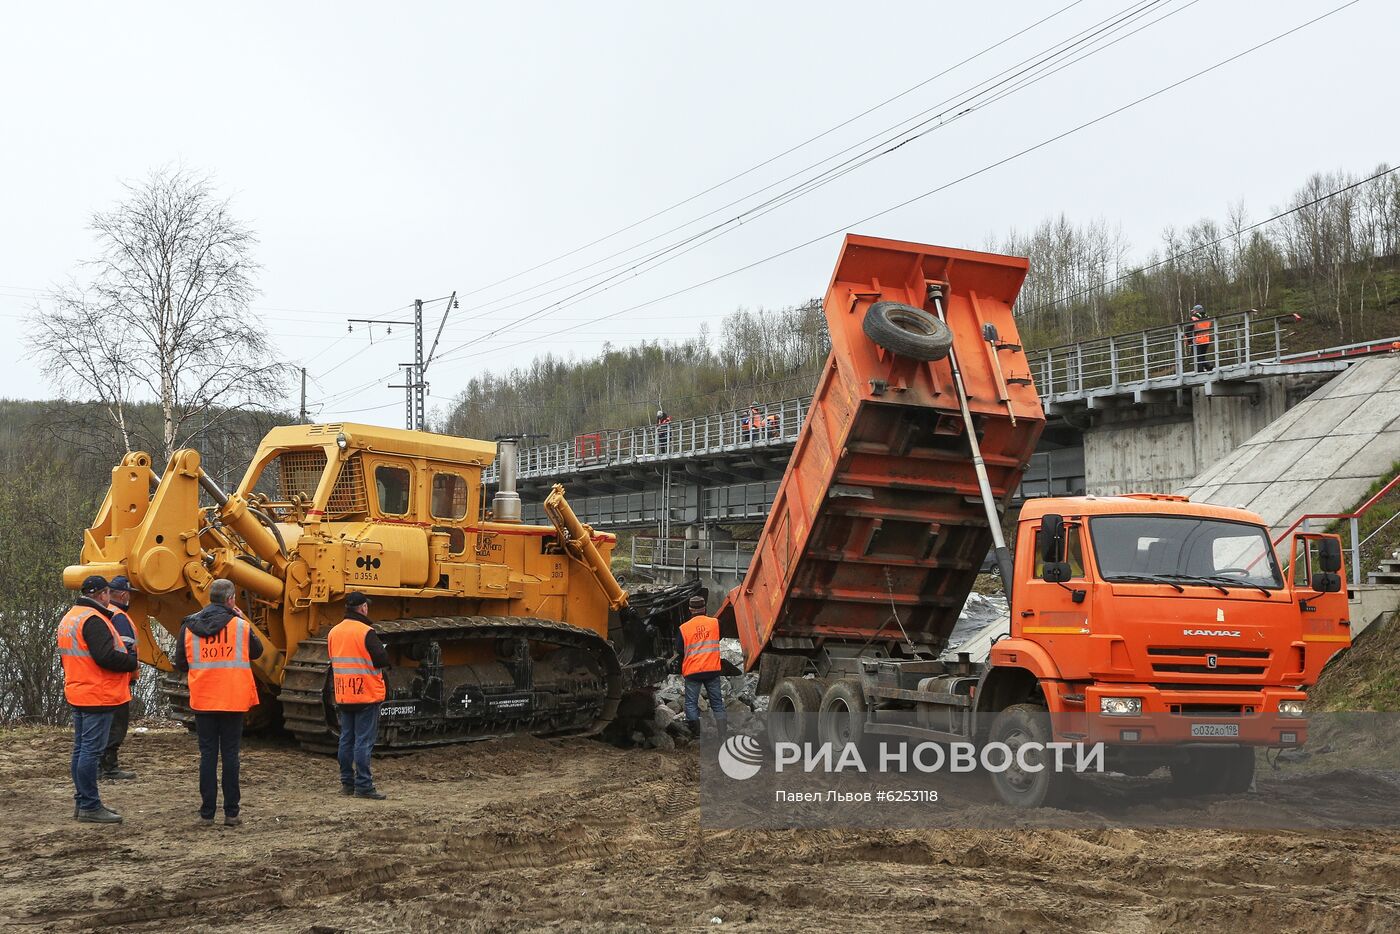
point(880, 527)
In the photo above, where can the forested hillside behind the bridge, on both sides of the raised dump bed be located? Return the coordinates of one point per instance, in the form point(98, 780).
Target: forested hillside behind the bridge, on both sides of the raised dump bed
point(1335, 260)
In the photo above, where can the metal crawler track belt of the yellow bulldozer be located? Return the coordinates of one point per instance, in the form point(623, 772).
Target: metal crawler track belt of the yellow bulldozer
point(306, 695)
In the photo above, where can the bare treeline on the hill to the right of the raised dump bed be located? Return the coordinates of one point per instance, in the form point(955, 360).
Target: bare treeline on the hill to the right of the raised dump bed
point(1335, 261)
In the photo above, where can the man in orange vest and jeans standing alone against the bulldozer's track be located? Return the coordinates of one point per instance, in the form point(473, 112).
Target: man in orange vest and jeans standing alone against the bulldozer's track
point(358, 663)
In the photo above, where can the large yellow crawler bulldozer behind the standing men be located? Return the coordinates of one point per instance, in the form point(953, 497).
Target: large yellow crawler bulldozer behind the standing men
point(493, 627)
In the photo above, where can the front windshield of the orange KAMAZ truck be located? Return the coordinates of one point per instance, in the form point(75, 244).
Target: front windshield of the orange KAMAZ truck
point(1179, 548)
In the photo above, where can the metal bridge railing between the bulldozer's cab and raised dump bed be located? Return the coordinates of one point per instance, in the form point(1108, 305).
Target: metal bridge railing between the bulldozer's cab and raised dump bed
point(776, 424)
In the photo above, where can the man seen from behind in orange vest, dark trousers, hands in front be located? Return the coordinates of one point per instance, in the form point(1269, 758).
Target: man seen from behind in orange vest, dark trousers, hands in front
point(216, 646)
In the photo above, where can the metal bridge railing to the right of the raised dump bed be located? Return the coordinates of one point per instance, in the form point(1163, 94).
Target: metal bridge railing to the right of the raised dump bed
point(1167, 352)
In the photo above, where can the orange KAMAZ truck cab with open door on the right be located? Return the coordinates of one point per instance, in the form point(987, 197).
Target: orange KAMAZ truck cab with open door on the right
point(1156, 617)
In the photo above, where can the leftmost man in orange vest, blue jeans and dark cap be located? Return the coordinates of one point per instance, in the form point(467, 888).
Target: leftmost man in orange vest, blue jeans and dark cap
point(97, 680)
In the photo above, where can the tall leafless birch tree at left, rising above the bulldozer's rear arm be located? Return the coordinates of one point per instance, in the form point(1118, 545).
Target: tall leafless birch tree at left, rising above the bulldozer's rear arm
point(164, 314)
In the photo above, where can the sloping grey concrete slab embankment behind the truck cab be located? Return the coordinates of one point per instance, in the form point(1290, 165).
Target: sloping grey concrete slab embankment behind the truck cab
point(1318, 457)
